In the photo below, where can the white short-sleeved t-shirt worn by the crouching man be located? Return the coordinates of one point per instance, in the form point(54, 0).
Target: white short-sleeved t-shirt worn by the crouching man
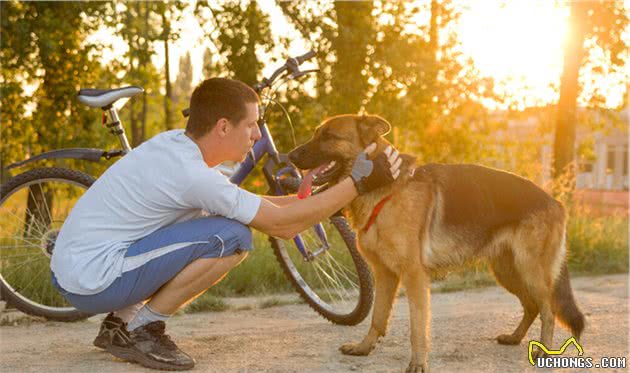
point(161, 182)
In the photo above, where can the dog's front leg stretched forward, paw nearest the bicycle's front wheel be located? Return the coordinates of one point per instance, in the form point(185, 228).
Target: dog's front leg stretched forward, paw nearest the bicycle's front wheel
point(386, 283)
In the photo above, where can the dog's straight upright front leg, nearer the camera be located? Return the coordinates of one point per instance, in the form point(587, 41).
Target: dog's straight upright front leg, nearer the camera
point(417, 282)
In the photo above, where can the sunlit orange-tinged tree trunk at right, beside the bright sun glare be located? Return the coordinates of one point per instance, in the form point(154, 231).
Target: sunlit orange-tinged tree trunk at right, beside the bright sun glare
point(564, 142)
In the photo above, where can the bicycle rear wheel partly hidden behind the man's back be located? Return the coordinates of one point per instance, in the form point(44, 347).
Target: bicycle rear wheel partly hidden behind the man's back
point(33, 207)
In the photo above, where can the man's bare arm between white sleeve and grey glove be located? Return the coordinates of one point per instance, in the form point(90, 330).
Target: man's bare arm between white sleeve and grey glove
point(289, 220)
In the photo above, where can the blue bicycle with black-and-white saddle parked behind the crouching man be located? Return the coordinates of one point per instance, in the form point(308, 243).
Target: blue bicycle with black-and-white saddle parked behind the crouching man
point(322, 263)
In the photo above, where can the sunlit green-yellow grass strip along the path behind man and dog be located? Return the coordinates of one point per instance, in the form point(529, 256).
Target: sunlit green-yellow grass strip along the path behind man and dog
point(597, 245)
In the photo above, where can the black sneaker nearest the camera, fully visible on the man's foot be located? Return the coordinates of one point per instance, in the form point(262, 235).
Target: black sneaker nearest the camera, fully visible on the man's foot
point(150, 347)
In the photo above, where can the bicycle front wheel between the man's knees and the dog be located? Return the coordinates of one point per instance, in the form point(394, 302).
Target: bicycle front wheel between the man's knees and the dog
point(335, 281)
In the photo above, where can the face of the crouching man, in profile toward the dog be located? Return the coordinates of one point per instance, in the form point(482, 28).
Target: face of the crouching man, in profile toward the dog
point(242, 135)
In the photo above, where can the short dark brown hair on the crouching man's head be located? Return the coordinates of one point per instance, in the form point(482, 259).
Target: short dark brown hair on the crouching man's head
point(217, 98)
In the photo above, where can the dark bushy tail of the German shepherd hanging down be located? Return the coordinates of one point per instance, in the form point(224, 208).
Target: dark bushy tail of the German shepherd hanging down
point(563, 303)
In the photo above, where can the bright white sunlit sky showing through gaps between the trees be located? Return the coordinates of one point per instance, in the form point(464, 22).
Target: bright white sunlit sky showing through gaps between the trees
point(518, 43)
